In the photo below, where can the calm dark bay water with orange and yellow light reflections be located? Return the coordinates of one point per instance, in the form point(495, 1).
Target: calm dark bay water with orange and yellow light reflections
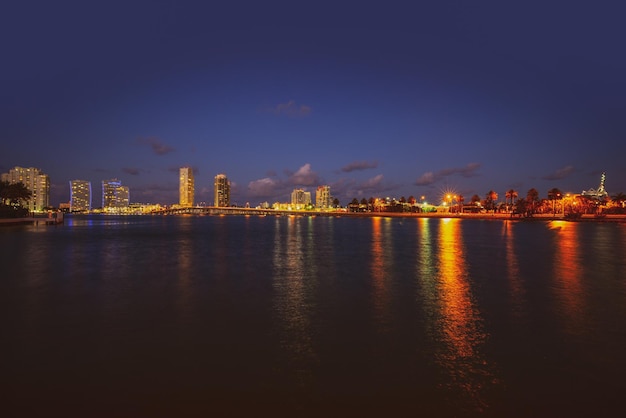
point(186, 316)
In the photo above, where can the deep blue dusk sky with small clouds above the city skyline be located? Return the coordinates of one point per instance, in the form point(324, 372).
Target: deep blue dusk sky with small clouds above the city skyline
point(383, 99)
